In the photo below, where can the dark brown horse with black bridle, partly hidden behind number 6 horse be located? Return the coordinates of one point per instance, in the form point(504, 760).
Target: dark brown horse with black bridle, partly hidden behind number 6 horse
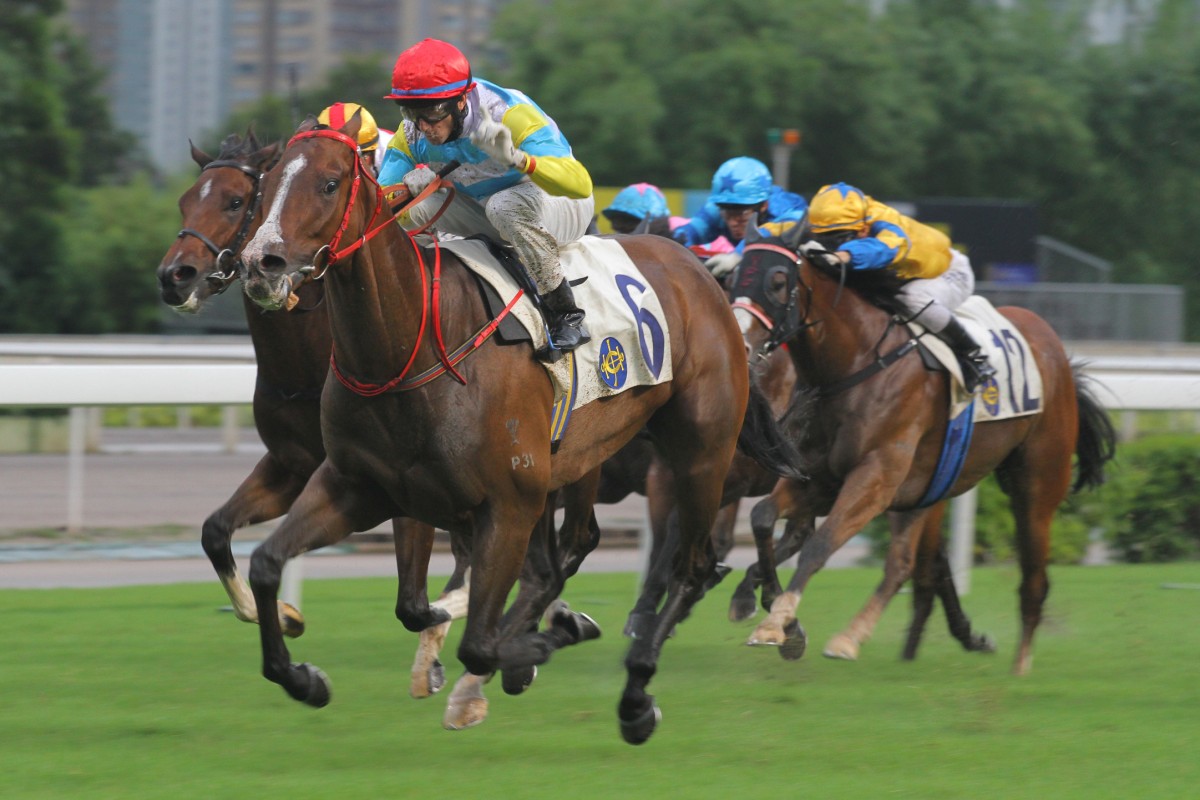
point(292, 352)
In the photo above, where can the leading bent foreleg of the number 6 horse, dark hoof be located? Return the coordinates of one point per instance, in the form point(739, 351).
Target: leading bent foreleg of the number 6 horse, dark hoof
point(326, 513)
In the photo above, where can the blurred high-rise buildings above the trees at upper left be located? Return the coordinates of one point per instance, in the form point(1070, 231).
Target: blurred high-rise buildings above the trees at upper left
point(178, 68)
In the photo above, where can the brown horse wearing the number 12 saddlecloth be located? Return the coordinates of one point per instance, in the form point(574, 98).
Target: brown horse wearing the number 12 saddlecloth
point(877, 429)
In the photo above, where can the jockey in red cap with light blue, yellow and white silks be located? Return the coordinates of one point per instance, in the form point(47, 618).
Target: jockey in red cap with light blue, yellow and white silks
point(519, 182)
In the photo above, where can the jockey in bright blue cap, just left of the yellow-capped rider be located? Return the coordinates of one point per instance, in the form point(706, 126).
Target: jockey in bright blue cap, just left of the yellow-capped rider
point(742, 188)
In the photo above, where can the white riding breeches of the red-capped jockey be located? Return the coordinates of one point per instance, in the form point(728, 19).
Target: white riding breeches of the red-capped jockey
point(526, 216)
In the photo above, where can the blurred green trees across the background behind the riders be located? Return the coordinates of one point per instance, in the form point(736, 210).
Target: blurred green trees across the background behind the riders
point(905, 99)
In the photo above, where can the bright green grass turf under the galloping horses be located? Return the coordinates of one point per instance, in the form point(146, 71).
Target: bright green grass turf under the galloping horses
point(153, 693)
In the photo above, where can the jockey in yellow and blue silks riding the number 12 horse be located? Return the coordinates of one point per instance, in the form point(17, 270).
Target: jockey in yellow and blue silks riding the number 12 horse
point(848, 227)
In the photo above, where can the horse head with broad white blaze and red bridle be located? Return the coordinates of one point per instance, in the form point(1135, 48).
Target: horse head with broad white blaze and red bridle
point(311, 202)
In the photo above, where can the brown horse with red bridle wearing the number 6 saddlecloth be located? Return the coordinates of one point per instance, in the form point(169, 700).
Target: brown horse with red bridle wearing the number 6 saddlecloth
point(466, 446)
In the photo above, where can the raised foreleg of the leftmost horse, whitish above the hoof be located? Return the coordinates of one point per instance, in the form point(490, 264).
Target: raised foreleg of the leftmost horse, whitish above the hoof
point(267, 494)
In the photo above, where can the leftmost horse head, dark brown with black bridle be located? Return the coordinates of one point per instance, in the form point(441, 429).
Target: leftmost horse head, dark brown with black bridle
point(219, 213)
